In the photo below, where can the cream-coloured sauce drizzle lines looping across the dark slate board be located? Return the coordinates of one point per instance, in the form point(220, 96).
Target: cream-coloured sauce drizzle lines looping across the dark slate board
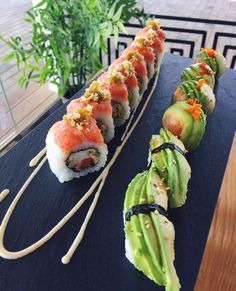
point(100, 180)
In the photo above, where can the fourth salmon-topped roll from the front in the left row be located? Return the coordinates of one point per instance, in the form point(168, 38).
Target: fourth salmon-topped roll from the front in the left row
point(126, 69)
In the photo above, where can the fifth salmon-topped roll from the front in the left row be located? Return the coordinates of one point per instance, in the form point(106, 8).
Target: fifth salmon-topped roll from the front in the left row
point(139, 65)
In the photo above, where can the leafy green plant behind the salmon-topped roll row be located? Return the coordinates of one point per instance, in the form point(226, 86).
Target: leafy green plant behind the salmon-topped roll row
point(67, 37)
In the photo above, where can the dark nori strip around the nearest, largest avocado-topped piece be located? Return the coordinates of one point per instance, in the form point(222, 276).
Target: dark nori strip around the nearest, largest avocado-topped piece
point(144, 209)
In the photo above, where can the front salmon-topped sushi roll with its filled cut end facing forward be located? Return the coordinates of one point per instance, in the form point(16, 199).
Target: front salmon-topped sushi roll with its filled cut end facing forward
point(75, 146)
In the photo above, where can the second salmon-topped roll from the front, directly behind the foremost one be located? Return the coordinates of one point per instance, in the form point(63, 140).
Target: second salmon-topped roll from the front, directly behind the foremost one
point(100, 100)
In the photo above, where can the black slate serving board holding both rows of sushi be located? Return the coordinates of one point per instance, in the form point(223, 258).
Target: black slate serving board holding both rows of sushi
point(99, 263)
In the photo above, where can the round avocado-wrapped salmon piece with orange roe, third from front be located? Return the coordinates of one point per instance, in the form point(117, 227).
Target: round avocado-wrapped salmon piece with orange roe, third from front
point(186, 120)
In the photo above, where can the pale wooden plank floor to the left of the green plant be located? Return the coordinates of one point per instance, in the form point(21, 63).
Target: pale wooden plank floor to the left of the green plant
point(27, 104)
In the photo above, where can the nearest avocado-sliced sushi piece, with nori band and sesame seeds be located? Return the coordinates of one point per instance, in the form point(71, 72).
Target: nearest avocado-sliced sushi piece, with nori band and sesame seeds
point(149, 235)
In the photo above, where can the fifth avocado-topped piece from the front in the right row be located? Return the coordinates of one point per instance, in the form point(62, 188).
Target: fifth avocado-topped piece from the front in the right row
point(199, 71)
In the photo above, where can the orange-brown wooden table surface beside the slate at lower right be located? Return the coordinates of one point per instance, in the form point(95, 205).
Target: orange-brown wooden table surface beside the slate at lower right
point(218, 267)
